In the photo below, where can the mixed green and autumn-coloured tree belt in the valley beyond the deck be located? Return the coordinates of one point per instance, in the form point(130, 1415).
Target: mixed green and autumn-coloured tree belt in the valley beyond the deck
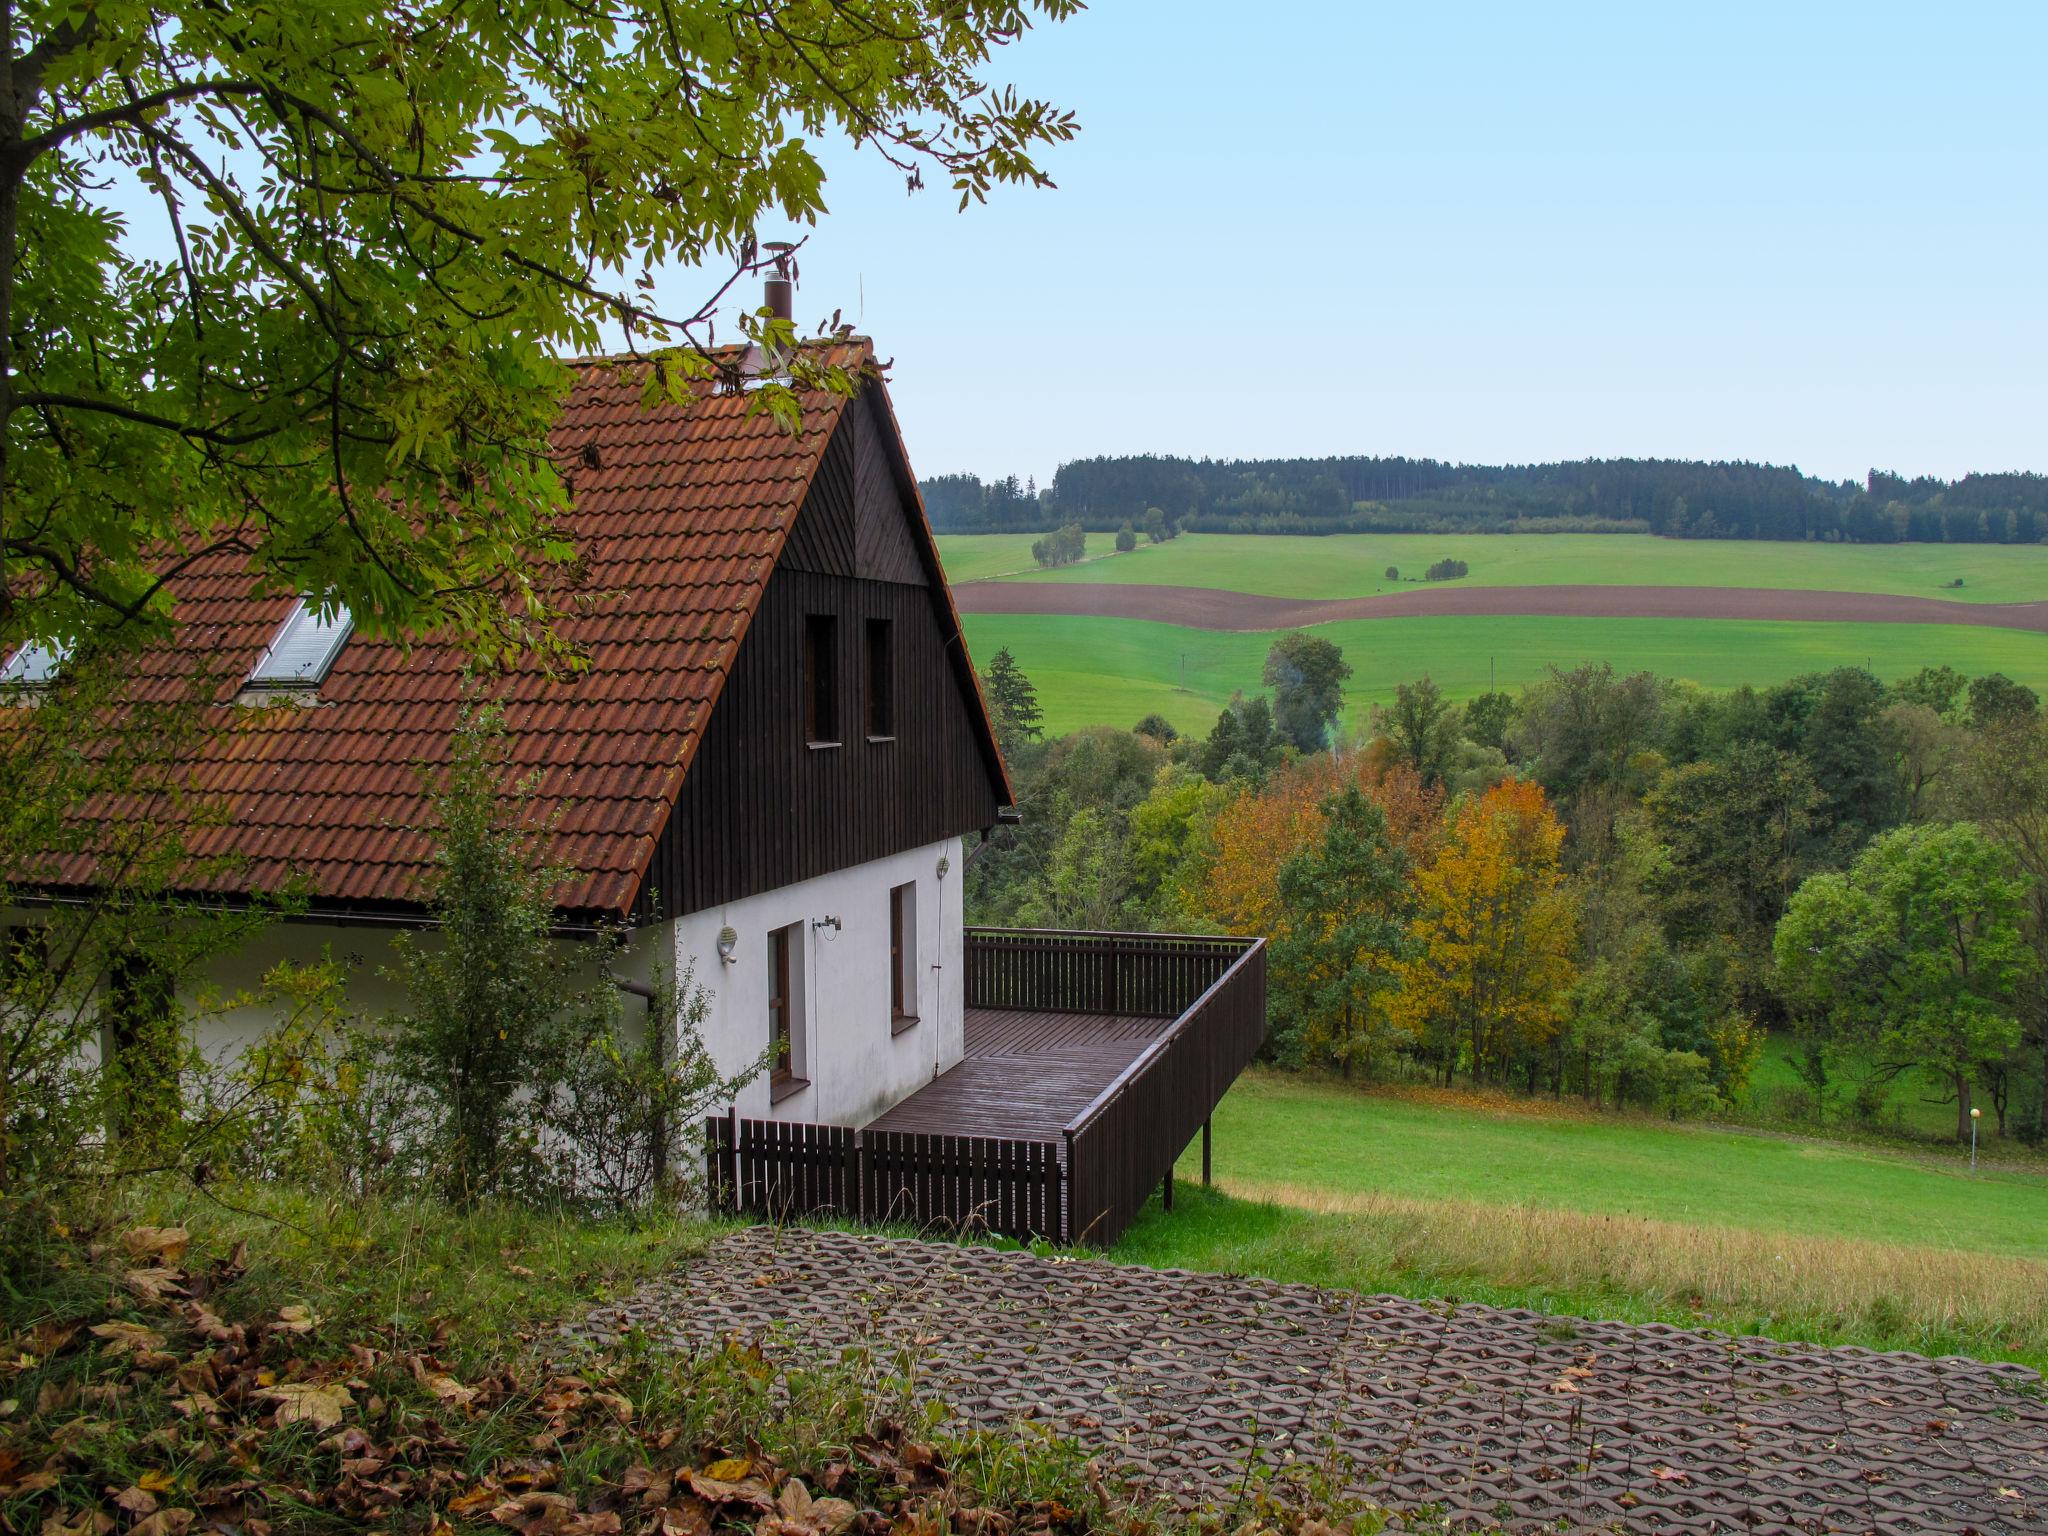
point(1609, 886)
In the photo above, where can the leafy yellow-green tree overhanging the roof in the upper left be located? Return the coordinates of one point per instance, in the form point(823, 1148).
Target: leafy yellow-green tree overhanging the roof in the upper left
point(296, 282)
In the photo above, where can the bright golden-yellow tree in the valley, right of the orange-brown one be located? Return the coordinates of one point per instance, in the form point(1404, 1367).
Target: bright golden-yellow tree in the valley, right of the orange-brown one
point(1492, 941)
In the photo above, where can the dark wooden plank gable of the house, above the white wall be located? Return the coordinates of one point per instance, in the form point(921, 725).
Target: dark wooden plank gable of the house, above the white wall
point(761, 806)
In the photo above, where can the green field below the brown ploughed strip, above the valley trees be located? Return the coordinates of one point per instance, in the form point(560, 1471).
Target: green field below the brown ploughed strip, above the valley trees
point(1117, 671)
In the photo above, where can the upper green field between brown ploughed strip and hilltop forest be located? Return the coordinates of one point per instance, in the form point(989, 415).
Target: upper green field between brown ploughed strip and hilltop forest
point(1353, 566)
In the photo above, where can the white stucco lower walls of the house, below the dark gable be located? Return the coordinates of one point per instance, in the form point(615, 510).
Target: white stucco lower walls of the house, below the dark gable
point(857, 1064)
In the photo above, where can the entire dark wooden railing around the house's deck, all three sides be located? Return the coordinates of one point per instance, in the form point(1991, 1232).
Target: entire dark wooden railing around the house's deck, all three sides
point(1091, 1185)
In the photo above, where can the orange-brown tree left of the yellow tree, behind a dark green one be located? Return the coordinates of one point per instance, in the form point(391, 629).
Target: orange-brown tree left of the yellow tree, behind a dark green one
point(1265, 828)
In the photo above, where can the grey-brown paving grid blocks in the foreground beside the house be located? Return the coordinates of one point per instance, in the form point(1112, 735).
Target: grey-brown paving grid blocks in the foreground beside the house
point(1476, 1416)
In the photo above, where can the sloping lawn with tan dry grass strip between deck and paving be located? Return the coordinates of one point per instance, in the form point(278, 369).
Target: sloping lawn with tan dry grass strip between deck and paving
point(1615, 1218)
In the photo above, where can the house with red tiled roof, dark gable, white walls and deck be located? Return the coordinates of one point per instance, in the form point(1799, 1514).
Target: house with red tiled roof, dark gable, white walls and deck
point(765, 775)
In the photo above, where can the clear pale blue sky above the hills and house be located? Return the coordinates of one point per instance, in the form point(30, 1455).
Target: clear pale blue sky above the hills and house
point(1811, 234)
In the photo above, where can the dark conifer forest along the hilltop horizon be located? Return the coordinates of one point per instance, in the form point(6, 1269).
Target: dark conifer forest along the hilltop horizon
point(1357, 495)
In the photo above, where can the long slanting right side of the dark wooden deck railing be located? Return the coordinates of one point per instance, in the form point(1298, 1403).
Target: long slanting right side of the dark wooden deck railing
point(1123, 1146)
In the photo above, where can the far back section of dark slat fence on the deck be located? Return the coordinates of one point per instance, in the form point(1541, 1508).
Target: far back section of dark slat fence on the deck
point(1138, 976)
